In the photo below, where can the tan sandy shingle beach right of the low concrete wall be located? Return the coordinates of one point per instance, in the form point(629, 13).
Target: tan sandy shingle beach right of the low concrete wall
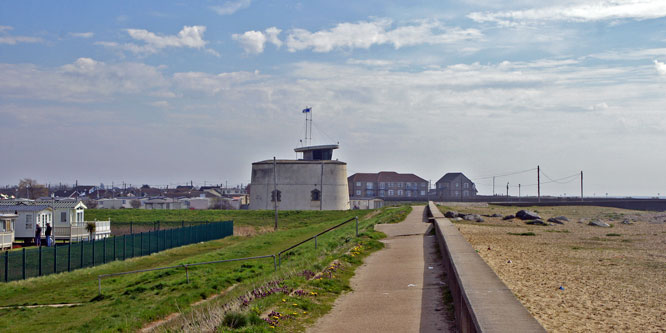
point(612, 279)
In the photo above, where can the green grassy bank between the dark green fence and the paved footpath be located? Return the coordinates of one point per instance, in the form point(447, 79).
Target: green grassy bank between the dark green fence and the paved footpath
point(129, 302)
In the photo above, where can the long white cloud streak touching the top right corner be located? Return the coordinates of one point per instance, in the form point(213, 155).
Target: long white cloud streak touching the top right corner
point(579, 12)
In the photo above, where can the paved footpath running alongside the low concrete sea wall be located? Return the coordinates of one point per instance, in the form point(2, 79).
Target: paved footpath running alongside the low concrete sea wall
point(397, 289)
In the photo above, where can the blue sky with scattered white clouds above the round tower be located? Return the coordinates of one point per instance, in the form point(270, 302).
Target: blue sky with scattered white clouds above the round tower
point(164, 93)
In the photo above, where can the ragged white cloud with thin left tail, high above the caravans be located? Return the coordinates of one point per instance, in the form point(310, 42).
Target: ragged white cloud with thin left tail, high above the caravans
point(188, 37)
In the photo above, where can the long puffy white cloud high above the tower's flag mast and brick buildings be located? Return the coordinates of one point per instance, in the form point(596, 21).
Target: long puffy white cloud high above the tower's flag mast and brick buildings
point(366, 34)
